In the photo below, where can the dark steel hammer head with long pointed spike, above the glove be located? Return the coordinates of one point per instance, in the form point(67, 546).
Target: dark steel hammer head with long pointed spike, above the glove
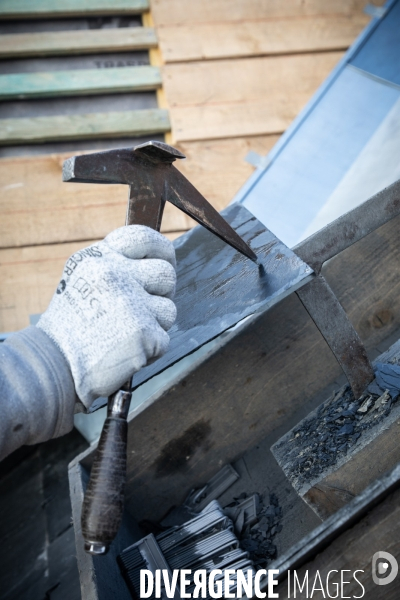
point(153, 180)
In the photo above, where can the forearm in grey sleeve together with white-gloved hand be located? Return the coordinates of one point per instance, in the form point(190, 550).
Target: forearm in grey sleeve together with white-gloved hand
point(107, 319)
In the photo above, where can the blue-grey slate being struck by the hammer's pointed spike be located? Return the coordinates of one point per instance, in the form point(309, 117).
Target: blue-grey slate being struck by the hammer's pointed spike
point(218, 287)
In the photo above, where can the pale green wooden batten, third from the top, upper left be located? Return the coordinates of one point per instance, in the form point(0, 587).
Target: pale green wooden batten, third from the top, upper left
point(82, 81)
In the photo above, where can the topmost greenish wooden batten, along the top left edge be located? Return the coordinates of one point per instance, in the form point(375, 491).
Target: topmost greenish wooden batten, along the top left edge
point(31, 9)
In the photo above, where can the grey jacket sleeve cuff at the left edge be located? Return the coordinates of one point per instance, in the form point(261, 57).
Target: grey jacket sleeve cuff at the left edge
point(37, 392)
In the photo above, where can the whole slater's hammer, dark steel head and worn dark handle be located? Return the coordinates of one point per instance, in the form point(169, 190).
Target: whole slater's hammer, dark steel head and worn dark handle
point(152, 180)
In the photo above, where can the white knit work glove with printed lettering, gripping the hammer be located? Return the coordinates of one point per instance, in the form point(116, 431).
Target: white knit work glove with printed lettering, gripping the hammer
point(112, 308)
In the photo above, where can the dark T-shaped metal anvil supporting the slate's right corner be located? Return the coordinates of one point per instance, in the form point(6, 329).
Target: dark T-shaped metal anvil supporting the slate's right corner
point(319, 299)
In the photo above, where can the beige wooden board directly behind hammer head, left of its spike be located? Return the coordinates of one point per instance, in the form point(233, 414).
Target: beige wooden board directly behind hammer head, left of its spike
point(36, 207)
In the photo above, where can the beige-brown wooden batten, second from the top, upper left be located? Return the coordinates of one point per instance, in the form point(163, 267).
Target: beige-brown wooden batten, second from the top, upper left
point(77, 42)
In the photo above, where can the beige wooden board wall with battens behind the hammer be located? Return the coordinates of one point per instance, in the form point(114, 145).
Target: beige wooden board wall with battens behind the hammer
point(234, 74)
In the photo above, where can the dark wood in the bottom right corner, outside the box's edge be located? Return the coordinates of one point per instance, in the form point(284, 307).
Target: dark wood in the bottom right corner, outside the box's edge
point(353, 550)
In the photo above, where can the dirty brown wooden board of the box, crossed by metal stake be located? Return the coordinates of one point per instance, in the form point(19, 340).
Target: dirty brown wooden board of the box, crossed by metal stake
point(256, 382)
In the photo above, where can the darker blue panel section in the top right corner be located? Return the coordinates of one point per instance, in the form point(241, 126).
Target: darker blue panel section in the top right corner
point(380, 53)
